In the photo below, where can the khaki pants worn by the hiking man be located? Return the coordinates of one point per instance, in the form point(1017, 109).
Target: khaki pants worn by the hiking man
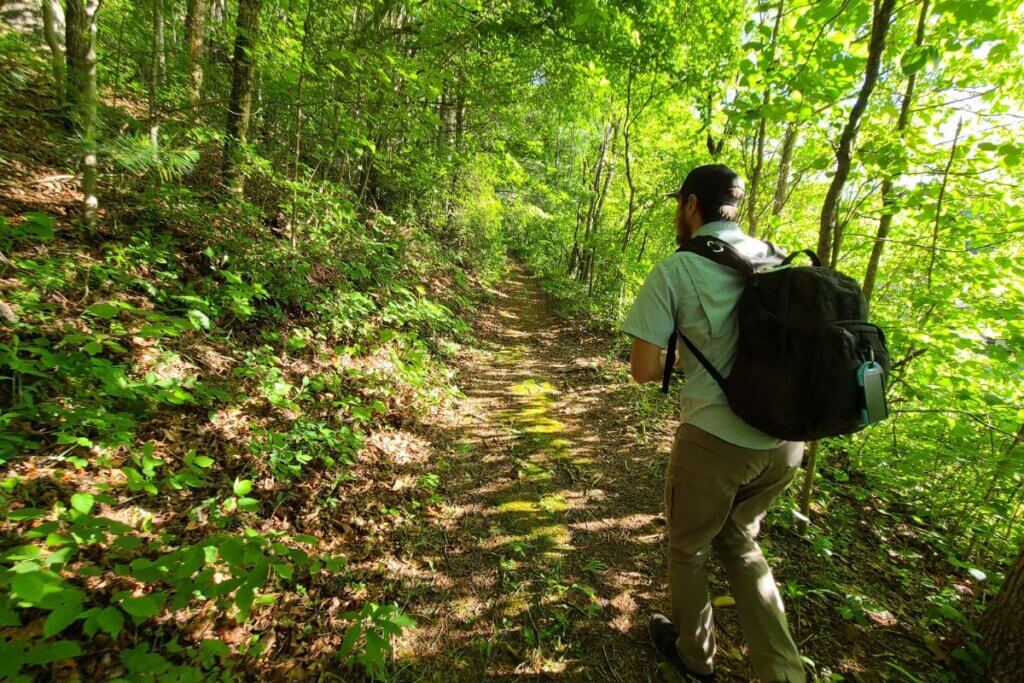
point(716, 494)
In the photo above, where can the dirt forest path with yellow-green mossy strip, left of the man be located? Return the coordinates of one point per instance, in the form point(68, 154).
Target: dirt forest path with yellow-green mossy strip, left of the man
point(552, 557)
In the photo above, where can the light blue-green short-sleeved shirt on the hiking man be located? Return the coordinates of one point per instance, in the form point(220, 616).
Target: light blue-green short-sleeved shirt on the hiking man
point(700, 298)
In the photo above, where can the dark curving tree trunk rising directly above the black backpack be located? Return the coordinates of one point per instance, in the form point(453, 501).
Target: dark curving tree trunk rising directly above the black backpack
point(828, 238)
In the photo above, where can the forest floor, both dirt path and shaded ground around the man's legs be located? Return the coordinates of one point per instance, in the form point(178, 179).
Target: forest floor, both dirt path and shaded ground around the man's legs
point(550, 556)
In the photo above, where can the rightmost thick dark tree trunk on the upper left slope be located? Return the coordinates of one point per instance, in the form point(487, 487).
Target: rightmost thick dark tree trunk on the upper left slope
point(240, 105)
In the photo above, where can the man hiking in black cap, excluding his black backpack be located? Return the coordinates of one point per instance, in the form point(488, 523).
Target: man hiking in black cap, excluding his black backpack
point(722, 474)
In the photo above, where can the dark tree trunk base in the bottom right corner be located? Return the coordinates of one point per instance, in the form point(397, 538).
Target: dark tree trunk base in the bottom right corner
point(1003, 626)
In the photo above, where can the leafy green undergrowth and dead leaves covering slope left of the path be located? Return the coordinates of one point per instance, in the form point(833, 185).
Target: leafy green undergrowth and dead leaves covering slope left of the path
point(173, 390)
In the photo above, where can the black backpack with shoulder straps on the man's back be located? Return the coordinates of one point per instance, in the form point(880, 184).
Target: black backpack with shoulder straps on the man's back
point(803, 335)
